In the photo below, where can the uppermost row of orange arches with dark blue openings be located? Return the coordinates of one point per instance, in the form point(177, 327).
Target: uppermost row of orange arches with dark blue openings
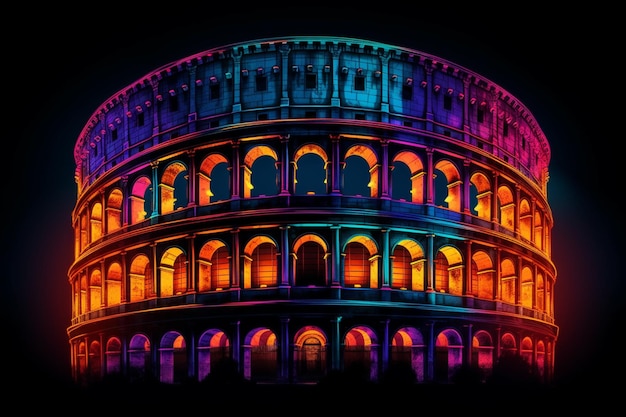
point(411, 175)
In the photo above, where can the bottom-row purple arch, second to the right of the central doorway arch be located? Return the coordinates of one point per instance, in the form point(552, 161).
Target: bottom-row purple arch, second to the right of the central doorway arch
point(408, 350)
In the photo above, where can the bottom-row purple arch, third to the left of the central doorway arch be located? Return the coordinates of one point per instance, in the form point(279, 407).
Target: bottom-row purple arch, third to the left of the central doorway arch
point(173, 362)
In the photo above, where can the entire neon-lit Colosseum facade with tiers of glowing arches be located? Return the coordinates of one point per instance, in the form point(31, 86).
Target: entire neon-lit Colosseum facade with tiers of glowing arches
point(307, 204)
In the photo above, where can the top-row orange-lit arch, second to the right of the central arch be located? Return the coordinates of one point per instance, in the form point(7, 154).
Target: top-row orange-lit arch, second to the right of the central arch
point(415, 181)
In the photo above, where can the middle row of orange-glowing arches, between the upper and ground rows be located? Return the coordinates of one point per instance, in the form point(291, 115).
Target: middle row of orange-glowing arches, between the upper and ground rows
point(302, 258)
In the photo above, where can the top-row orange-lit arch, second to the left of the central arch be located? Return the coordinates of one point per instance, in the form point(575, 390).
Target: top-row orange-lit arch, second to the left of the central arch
point(213, 179)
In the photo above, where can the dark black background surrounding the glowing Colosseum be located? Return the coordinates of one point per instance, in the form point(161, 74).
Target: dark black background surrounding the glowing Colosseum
point(65, 63)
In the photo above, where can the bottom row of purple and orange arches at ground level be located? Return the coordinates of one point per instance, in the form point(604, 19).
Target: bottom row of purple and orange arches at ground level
point(308, 356)
